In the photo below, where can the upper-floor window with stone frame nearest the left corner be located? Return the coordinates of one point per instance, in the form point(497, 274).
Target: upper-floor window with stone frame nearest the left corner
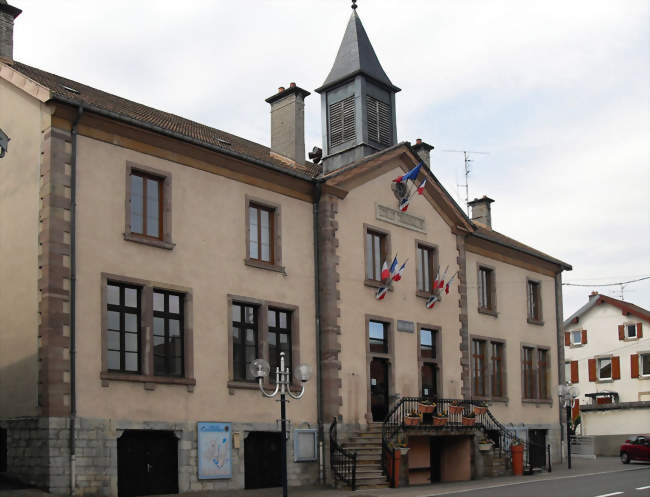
point(148, 206)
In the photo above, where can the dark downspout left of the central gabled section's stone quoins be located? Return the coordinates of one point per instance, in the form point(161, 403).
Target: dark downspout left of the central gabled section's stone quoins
point(321, 455)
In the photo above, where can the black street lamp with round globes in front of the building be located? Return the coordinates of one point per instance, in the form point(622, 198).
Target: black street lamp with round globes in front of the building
point(260, 369)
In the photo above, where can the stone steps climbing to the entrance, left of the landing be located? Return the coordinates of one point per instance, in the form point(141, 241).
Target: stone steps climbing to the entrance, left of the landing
point(367, 445)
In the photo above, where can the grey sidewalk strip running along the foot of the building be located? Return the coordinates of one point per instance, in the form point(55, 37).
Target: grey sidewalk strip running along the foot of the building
point(579, 467)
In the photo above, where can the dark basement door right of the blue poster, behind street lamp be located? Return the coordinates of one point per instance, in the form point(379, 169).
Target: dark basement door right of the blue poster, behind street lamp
point(262, 460)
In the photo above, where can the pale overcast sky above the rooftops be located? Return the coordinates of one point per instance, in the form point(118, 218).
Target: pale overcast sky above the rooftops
point(556, 92)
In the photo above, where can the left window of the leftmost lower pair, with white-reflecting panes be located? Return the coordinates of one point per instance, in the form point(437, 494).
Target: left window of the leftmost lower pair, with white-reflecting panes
point(123, 312)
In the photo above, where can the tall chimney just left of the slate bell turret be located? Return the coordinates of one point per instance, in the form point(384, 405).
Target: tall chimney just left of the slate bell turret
point(288, 122)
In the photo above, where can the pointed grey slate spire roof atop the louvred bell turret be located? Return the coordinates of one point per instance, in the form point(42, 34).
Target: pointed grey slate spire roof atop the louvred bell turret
point(356, 56)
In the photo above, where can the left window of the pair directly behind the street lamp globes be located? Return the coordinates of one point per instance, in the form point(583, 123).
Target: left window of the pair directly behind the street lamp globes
point(244, 339)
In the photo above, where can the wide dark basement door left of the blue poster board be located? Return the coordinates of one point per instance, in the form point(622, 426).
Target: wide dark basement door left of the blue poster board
point(147, 463)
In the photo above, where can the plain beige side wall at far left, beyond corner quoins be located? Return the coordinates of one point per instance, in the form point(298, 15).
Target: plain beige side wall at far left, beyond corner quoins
point(23, 119)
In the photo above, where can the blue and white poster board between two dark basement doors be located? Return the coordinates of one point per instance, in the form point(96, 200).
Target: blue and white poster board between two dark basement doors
point(214, 450)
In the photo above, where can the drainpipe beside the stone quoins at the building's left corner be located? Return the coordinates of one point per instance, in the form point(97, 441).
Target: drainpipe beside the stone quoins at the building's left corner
point(73, 286)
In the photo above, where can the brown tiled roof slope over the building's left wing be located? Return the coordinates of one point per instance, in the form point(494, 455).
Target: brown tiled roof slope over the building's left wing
point(93, 99)
